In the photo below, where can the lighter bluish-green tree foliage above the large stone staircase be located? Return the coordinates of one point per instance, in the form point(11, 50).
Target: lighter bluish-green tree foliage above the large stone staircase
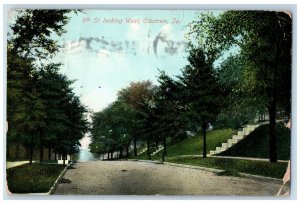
point(239, 107)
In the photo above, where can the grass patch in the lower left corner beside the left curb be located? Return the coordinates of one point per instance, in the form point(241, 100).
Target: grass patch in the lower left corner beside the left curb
point(37, 178)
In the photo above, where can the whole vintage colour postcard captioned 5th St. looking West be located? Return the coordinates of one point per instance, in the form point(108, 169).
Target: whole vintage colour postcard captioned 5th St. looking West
point(148, 102)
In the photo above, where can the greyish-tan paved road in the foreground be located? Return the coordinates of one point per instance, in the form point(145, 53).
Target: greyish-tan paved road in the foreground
point(141, 178)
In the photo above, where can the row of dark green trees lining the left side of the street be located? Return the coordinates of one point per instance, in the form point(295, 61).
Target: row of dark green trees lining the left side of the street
point(42, 110)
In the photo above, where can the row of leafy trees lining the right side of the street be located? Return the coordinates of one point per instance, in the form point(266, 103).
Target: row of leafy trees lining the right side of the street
point(255, 78)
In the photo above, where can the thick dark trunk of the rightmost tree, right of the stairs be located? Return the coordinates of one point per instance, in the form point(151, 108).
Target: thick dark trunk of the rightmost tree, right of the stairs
point(272, 137)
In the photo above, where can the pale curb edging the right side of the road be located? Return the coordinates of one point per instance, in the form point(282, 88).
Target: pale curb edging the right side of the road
point(250, 176)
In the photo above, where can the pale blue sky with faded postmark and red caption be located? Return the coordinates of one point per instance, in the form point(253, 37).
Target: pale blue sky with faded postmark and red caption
point(105, 50)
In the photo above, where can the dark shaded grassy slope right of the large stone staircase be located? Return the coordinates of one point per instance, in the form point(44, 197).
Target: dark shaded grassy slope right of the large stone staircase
point(257, 144)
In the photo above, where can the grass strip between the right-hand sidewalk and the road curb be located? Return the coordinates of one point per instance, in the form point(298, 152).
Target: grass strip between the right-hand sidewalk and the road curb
point(263, 168)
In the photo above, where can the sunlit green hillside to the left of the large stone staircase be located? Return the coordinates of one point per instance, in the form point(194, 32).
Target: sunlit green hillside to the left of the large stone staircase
point(193, 145)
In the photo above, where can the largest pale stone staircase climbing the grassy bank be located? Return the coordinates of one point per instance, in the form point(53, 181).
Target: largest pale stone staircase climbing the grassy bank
point(235, 139)
